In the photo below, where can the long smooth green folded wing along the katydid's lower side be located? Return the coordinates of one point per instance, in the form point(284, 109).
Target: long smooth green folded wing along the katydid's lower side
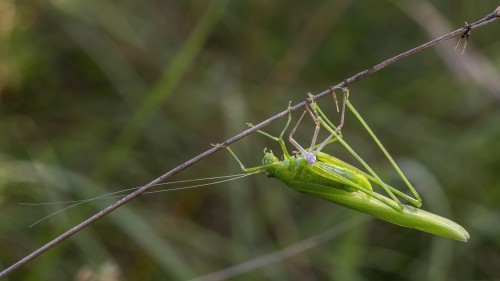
point(411, 217)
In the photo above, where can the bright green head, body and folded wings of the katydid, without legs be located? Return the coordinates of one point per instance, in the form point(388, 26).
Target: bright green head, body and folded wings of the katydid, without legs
point(300, 176)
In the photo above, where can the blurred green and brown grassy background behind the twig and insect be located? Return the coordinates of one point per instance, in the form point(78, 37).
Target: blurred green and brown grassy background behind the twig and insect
point(96, 96)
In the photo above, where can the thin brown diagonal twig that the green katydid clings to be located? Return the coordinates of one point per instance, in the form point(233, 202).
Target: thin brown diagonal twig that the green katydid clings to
point(459, 32)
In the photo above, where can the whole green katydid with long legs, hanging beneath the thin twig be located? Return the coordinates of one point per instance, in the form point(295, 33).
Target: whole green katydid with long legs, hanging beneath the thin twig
point(321, 175)
